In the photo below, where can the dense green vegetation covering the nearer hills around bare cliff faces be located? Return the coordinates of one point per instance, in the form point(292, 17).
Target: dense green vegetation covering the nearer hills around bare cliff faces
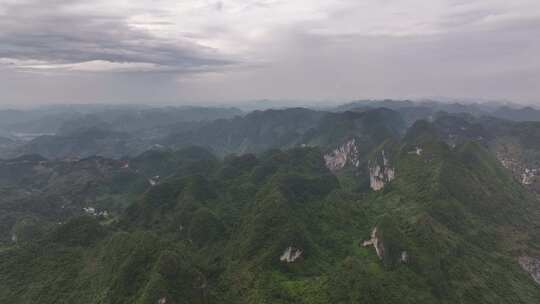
point(279, 227)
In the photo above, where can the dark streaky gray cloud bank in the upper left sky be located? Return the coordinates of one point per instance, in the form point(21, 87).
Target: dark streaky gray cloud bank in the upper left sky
point(45, 31)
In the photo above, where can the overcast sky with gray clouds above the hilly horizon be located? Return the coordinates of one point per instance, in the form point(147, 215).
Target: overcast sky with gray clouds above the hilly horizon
point(233, 51)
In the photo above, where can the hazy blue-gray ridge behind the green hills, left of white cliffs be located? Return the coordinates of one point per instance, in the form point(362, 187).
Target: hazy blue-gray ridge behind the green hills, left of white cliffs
point(263, 130)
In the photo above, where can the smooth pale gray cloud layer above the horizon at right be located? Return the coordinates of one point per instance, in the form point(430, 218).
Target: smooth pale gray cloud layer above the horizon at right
point(483, 63)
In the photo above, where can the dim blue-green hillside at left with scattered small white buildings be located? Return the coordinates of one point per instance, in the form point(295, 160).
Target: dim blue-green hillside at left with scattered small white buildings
point(51, 191)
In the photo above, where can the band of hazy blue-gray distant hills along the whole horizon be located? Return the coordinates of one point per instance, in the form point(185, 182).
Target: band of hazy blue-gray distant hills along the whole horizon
point(115, 131)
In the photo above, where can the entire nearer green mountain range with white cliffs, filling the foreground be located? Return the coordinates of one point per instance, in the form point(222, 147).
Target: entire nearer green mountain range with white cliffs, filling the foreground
point(360, 206)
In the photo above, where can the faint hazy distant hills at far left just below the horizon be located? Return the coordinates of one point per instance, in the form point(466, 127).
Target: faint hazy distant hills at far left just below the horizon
point(111, 132)
